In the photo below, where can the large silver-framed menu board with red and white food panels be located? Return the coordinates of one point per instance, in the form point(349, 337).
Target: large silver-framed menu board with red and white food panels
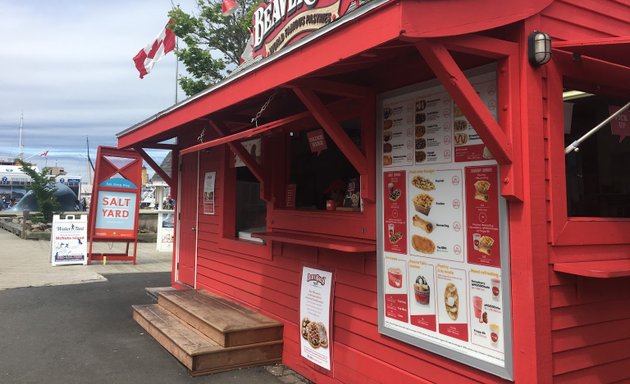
point(442, 224)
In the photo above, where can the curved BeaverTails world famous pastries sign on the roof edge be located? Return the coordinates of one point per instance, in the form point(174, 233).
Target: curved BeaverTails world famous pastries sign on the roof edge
point(278, 23)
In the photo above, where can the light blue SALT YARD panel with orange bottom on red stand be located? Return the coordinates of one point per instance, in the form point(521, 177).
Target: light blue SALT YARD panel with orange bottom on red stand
point(115, 215)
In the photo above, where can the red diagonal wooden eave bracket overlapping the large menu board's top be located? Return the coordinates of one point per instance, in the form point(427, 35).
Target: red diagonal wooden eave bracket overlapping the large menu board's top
point(500, 143)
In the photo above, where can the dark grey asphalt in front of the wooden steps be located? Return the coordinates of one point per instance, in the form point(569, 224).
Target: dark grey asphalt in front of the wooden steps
point(85, 334)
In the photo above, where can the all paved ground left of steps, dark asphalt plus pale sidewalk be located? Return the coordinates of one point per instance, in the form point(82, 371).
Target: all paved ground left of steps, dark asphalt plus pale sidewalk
point(54, 328)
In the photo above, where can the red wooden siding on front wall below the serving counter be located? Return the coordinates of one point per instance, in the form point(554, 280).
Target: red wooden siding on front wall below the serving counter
point(361, 354)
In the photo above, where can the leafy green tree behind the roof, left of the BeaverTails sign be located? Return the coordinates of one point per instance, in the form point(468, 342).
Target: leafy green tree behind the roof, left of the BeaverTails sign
point(214, 43)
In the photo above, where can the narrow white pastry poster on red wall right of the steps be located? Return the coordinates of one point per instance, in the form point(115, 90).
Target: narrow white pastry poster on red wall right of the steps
point(315, 311)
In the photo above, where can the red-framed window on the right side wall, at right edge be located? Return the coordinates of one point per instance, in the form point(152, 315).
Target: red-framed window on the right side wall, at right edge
point(589, 196)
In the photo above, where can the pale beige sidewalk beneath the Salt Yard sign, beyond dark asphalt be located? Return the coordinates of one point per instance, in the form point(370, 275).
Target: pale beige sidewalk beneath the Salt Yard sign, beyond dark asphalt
point(26, 263)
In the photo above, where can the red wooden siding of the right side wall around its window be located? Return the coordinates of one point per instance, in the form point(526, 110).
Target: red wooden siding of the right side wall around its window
point(590, 318)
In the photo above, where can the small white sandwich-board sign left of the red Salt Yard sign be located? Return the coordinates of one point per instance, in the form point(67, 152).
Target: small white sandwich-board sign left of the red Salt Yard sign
point(68, 240)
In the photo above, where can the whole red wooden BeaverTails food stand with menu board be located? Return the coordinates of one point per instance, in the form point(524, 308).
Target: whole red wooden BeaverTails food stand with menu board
point(562, 220)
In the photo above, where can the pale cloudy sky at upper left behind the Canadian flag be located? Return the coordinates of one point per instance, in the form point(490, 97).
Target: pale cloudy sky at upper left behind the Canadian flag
point(67, 66)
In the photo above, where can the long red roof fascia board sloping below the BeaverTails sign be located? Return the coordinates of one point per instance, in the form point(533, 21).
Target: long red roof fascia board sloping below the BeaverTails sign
point(287, 67)
